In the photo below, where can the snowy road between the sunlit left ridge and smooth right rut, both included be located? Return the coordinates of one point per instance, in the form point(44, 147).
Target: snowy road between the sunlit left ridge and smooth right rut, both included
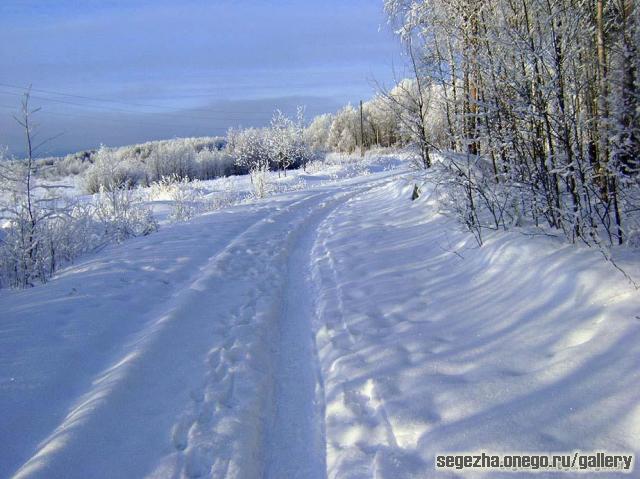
point(243, 326)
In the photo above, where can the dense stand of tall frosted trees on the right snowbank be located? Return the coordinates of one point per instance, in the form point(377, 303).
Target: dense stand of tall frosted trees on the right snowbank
point(540, 98)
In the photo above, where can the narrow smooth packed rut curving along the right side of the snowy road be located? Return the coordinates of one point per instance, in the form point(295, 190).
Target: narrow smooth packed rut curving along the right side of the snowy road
point(296, 434)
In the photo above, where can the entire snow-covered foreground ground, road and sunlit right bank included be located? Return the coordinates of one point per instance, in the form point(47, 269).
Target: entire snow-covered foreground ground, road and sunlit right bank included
point(335, 331)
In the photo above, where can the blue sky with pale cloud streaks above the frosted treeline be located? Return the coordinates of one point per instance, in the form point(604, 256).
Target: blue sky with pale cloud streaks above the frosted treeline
point(118, 72)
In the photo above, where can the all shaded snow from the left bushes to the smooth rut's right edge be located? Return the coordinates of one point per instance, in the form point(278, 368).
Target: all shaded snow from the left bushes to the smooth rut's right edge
point(220, 376)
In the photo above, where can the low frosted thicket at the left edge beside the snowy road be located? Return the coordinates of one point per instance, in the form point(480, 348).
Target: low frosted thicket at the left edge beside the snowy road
point(31, 251)
